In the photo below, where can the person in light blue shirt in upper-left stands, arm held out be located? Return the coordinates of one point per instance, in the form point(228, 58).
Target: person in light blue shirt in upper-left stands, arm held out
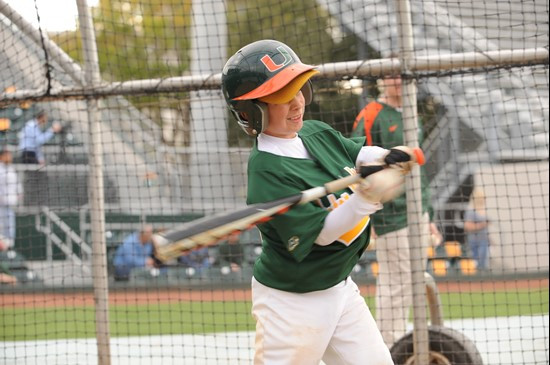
point(33, 136)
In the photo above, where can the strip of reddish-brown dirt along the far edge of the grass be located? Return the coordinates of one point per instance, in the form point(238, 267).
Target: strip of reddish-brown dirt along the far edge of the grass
point(156, 296)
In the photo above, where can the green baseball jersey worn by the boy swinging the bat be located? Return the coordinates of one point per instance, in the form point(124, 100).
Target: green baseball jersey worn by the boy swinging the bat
point(290, 260)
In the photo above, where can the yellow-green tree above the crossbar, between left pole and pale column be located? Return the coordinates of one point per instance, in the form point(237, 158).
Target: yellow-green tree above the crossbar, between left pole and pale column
point(143, 39)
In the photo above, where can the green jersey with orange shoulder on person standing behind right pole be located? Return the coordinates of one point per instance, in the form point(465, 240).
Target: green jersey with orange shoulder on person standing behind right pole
point(382, 125)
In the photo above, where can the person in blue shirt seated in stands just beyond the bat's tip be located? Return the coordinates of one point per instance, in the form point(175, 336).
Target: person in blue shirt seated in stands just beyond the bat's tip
point(136, 251)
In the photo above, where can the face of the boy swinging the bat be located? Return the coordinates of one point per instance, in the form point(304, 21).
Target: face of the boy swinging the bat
point(285, 120)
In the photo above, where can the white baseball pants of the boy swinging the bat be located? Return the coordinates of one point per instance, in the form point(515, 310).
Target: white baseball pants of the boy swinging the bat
point(333, 325)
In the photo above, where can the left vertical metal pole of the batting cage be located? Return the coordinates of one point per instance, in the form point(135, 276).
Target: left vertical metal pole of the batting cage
point(95, 192)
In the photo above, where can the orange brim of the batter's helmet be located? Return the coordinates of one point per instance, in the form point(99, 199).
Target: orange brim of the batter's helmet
point(279, 81)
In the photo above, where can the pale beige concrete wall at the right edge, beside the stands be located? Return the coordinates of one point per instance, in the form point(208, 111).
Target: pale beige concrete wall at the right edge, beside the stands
point(517, 203)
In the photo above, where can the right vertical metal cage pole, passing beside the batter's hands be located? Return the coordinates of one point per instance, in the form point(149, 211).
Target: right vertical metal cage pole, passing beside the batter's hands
point(414, 195)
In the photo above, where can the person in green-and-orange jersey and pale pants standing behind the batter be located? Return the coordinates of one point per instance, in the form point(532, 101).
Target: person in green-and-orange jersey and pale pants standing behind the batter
point(382, 124)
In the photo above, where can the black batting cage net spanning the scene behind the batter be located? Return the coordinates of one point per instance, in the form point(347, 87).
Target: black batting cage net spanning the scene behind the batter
point(114, 129)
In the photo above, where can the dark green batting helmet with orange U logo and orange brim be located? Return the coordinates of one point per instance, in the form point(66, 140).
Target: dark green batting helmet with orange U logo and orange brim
point(265, 71)
